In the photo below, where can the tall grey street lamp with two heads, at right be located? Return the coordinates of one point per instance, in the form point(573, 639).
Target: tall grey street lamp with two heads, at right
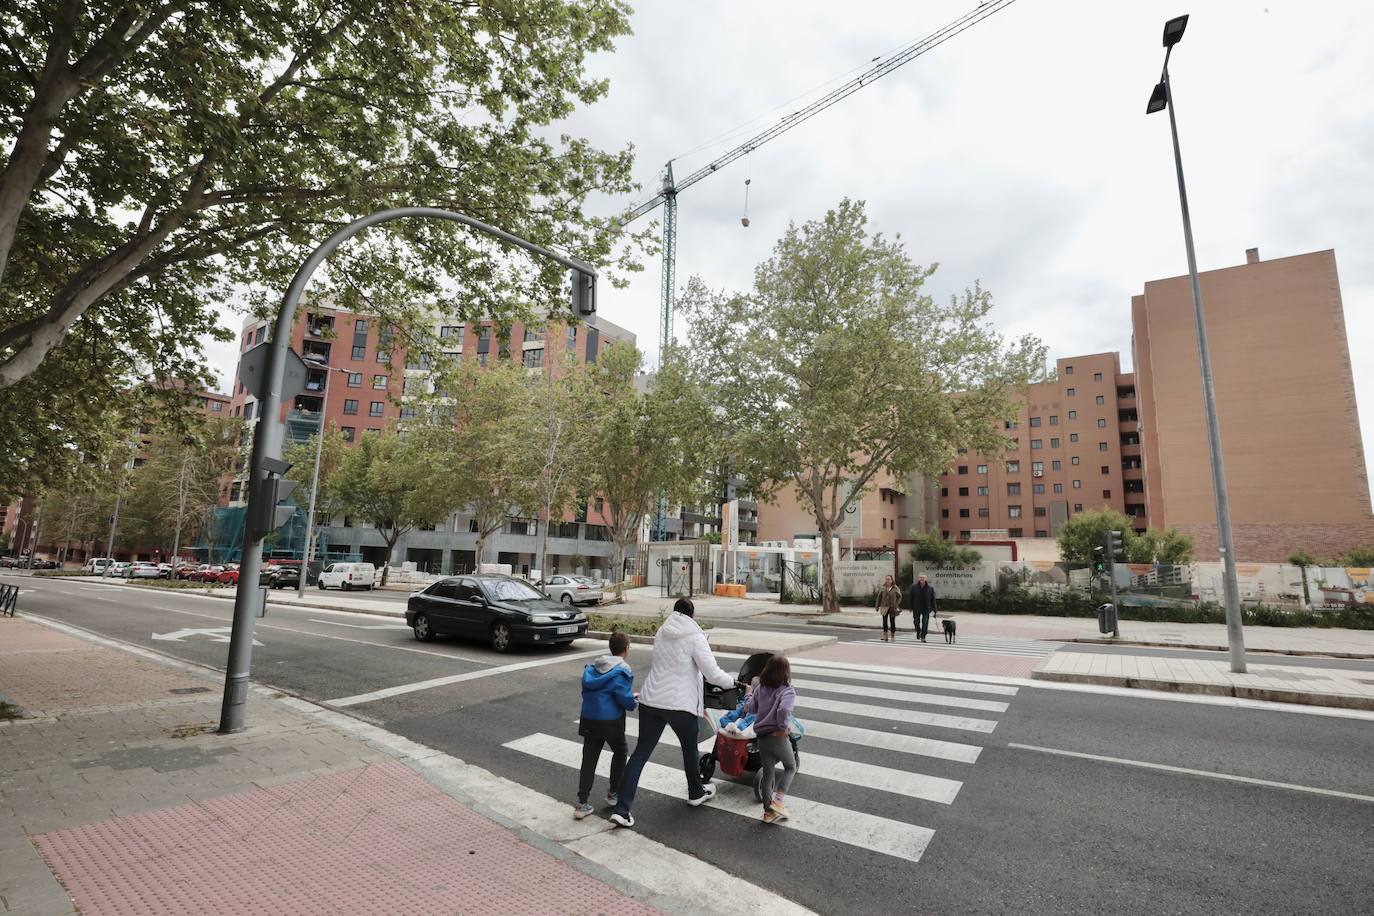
point(1160, 100)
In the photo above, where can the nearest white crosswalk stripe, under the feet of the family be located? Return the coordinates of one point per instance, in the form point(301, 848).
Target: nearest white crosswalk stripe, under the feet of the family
point(840, 825)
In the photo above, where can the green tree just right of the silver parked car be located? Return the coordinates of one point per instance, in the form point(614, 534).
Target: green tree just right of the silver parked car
point(646, 444)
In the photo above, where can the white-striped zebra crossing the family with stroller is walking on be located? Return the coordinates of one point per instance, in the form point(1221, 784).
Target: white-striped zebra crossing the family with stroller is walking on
point(913, 724)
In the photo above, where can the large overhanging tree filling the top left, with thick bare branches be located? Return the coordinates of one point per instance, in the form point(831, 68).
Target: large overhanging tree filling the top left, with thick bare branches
point(174, 156)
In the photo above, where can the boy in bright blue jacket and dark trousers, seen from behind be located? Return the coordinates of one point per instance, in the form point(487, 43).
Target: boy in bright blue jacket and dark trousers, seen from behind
point(608, 694)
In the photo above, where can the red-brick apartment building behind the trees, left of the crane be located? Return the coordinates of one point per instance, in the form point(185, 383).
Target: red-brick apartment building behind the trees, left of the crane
point(369, 377)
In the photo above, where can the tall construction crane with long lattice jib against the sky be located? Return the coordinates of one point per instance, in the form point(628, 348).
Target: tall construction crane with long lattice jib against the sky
point(670, 190)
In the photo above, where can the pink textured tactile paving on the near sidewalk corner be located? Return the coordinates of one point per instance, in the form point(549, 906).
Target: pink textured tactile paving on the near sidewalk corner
point(379, 840)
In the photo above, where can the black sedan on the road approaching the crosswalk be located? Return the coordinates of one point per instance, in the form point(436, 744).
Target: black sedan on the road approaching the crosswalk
point(502, 610)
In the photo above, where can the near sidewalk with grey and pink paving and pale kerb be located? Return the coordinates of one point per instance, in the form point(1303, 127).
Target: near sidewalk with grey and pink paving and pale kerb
point(119, 797)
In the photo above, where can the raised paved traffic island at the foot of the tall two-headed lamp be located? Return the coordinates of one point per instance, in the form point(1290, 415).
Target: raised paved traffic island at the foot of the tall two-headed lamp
point(1276, 683)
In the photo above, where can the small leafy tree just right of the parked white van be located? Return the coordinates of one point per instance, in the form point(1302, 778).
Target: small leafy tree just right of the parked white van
point(384, 480)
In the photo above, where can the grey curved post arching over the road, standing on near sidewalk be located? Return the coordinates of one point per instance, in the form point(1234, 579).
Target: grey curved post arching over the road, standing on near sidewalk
point(267, 440)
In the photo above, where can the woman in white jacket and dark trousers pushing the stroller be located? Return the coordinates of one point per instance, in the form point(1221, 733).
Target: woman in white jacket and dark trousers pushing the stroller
point(673, 698)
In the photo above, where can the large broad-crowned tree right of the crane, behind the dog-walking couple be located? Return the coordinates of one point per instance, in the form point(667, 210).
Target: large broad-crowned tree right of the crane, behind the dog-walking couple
point(836, 370)
